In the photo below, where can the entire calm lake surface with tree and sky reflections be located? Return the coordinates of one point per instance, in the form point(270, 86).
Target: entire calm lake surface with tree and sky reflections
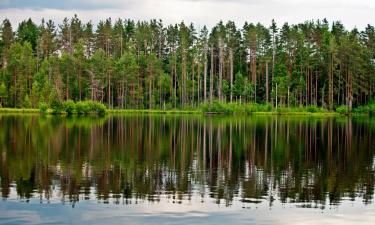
point(187, 170)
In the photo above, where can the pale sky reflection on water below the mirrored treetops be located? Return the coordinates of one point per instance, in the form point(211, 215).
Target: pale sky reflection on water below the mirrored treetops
point(197, 210)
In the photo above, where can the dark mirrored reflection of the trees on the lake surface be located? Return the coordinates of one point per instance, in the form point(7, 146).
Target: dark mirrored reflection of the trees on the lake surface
point(226, 160)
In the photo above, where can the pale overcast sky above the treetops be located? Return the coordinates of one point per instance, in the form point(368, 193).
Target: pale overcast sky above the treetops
point(353, 13)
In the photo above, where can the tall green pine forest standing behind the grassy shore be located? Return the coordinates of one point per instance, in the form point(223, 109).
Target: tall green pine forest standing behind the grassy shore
point(127, 64)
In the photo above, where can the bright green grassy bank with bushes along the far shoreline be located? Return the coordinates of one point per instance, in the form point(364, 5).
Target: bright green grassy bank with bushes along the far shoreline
point(217, 107)
